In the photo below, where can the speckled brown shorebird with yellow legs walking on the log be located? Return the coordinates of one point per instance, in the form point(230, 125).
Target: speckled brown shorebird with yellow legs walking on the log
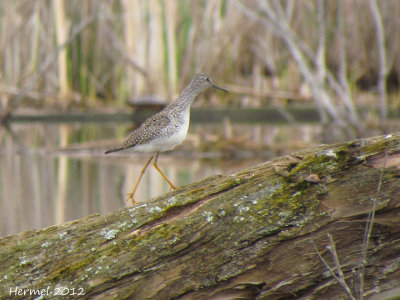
point(166, 129)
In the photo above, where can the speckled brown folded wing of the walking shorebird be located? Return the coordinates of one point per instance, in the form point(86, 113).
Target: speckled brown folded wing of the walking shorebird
point(145, 133)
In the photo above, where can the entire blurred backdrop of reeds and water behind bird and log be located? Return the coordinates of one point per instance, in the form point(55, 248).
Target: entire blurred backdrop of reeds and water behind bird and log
point(77, 76)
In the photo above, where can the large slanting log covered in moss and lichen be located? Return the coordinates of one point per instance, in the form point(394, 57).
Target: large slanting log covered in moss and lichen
point(259, 233)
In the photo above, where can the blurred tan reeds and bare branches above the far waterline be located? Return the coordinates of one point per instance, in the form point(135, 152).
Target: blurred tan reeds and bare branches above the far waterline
point(96, 53)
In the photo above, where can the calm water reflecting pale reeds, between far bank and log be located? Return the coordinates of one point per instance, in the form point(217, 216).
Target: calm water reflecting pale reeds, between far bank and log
point(46, 179)
